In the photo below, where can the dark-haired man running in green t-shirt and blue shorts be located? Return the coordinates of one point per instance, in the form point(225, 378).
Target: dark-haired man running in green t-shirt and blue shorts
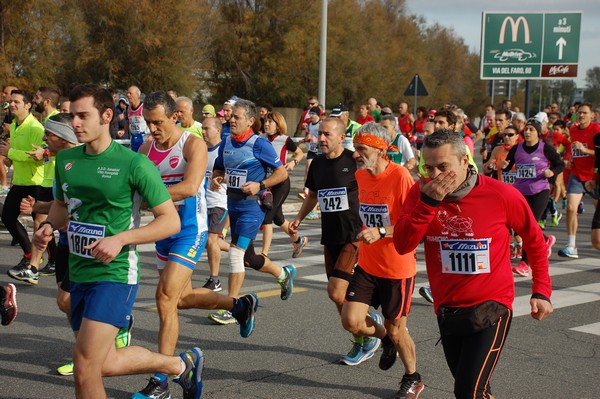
point(100, 187)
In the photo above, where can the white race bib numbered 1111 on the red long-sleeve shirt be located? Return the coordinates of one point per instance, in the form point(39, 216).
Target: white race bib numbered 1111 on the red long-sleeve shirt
point(465, 256)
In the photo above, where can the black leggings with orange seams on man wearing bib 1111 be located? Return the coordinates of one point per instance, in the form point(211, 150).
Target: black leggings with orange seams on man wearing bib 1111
point(472, 358)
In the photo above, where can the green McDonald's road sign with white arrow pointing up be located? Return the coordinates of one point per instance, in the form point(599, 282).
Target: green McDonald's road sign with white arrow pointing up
point(530, 45)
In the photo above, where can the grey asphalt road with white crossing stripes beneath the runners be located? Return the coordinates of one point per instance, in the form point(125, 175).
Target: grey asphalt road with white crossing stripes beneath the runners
point(295, 348)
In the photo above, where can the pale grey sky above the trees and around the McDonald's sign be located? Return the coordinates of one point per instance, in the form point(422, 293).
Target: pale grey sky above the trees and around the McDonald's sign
point(464, 17)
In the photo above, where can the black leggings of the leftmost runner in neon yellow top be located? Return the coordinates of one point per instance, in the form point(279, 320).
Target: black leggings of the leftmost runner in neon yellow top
point(11, 212)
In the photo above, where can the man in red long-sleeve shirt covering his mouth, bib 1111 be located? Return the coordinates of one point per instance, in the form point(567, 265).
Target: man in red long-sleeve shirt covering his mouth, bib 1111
point(468, 260)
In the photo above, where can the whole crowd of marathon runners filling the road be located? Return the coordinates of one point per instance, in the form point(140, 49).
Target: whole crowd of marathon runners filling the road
point(381, 186)
